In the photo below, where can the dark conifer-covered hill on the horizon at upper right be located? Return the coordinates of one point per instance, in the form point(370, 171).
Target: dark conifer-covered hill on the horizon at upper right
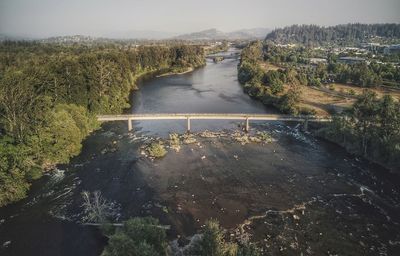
point(340, 34)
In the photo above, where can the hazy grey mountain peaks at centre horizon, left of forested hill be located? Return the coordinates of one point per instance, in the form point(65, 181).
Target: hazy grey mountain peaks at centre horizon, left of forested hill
point(214, 34)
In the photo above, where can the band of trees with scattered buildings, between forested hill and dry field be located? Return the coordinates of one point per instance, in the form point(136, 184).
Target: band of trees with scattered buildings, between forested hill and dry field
point(362, 73)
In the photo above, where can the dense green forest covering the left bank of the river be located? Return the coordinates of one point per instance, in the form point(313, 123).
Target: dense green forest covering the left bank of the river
point(49, 95)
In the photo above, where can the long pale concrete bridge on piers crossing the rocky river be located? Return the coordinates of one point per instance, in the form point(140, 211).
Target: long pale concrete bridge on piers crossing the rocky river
point(211, 116)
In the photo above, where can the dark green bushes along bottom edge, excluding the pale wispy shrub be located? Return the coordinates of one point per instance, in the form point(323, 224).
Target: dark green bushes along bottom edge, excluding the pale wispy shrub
point(145, 236)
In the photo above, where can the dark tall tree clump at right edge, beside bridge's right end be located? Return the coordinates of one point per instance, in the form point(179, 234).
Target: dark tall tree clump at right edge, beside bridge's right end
point(371, 128)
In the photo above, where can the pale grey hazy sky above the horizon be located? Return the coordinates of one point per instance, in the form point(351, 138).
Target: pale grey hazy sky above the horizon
point(42, 18)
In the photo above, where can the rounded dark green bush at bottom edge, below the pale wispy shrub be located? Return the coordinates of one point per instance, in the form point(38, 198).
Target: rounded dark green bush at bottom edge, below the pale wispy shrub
point(137, 237)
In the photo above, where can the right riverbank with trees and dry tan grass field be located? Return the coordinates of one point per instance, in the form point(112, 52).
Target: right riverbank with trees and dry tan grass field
point(351, 107)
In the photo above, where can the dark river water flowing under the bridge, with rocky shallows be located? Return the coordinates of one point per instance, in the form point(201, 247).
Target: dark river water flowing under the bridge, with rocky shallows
point(295, 196)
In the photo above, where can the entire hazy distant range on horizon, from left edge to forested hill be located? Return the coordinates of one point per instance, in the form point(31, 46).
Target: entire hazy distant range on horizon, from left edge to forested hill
point(210, 34)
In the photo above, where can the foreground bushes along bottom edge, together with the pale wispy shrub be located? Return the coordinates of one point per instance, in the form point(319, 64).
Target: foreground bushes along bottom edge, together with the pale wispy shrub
point(146, 236)
